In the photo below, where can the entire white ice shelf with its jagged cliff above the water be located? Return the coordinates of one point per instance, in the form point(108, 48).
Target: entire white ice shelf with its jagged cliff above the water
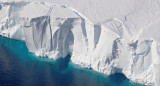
point(106, 35)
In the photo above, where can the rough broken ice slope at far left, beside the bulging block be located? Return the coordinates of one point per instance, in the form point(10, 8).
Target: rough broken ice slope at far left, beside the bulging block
point(11, 23)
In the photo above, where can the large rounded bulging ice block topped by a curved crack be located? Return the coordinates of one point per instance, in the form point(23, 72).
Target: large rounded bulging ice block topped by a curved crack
point(54, 33)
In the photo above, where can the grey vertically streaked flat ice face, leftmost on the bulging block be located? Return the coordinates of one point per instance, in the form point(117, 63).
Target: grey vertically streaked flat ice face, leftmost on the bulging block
point(38, 33)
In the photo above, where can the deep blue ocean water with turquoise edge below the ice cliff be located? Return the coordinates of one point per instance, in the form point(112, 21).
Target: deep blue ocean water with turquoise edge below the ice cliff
point(18, 67)
